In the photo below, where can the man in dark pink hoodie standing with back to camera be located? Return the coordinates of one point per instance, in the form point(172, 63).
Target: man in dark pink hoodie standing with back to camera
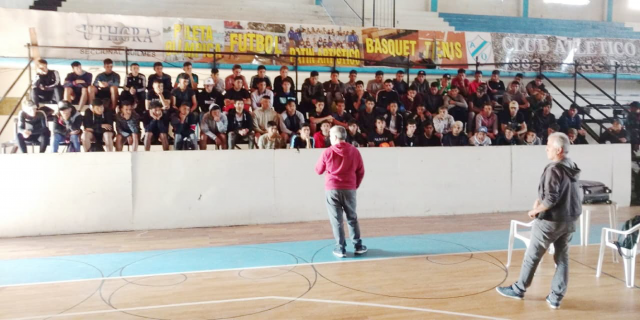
point(343, 164)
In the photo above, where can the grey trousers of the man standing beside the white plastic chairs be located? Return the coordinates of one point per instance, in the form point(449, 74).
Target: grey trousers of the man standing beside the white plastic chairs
point(543, 234)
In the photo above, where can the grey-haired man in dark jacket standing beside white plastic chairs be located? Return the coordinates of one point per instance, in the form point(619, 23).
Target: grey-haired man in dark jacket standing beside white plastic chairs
point(556, 210)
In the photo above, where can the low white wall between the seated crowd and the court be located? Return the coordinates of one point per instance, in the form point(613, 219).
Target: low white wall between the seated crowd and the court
point(78, 193)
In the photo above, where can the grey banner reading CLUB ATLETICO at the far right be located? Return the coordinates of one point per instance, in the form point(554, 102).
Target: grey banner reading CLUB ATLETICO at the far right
point(529, 51)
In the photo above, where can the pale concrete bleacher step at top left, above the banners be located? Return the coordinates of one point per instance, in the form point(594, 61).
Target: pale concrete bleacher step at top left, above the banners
point(276, 11)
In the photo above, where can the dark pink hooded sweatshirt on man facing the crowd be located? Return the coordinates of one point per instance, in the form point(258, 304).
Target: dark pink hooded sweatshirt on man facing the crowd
point(343, 165)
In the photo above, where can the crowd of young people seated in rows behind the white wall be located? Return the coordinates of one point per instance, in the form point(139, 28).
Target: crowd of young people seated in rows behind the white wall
point(267, 114)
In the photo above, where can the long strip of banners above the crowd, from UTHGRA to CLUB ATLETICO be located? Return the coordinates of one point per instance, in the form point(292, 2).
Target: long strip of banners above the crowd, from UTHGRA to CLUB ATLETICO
point(248, 42)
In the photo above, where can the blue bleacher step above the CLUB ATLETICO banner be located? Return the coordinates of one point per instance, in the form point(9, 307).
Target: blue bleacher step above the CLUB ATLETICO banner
point(557, 27)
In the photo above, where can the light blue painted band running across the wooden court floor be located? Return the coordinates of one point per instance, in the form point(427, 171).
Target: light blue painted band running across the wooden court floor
point(82, 267)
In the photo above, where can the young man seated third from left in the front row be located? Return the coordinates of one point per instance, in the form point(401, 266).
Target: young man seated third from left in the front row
point(98, 127)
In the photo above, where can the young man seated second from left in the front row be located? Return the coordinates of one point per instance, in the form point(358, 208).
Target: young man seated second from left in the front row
point(67, 127)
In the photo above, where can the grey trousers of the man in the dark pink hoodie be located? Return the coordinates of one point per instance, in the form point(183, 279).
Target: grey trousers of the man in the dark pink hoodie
point(339, 201)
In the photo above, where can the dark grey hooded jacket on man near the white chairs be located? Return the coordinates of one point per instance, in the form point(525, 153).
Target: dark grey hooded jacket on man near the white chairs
point(559, 191)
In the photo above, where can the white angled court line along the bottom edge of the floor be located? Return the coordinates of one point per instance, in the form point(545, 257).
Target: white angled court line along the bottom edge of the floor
point(189, 304)
